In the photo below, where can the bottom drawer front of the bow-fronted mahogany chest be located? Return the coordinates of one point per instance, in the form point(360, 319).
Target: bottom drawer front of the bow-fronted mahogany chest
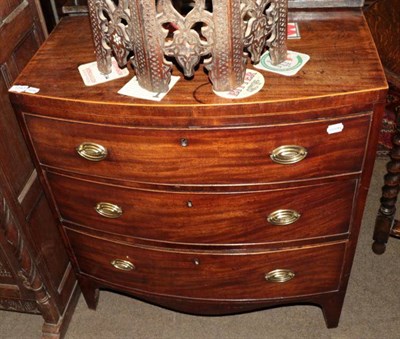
point(211, 275)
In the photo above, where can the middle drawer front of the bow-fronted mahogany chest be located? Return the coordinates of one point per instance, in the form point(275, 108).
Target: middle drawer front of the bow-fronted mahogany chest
point(207, 218)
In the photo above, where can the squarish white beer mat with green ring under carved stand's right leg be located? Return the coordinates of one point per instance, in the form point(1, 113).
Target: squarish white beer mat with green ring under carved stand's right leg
point(293, 63)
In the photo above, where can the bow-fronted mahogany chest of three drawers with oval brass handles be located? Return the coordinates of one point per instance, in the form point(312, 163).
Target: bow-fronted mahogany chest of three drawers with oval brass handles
point(207, 205)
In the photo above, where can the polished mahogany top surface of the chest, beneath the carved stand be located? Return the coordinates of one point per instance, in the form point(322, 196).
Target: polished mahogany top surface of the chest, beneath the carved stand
point(344, 70)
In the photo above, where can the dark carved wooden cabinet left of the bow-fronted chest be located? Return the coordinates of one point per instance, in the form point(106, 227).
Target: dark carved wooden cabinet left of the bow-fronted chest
point(35, 272)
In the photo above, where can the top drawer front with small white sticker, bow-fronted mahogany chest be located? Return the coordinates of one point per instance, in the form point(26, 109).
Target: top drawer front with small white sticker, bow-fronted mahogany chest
point(195, 156)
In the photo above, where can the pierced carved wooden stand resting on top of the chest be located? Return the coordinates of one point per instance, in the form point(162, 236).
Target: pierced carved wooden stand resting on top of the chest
point(221, 33)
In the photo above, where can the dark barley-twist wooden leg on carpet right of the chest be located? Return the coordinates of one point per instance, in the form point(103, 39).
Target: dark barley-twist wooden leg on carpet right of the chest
point(390, 190)
